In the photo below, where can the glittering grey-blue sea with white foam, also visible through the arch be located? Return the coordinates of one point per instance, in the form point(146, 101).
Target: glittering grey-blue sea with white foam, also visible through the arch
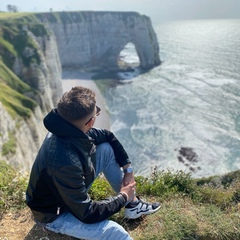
point(183, 115)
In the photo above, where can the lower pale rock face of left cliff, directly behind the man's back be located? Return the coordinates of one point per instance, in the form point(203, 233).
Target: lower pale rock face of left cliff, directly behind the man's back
point(23, 136)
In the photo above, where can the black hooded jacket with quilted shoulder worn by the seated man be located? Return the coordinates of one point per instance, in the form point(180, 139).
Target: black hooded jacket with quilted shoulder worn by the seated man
point(64, 169)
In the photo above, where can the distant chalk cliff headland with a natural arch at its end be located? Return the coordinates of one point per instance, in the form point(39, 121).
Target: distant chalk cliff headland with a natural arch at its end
point(96, 39)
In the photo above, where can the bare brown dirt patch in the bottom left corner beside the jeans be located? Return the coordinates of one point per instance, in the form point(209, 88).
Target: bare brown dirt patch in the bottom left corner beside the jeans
point(20, 226)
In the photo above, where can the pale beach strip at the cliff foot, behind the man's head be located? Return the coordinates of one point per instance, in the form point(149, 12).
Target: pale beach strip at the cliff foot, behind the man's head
point(75, 78)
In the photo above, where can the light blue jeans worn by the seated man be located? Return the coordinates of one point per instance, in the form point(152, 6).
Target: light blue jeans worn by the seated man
point(67, 224)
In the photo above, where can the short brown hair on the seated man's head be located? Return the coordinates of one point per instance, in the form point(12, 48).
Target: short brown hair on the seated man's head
point(76, 104)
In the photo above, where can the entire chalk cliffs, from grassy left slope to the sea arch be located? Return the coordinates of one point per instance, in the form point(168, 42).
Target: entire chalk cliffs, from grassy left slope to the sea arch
point(33, 50)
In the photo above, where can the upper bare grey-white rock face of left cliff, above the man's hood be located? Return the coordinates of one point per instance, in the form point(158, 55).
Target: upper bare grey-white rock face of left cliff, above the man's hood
point(44, 75)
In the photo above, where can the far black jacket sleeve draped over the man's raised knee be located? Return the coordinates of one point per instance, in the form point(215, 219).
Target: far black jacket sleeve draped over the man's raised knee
point(103, 135)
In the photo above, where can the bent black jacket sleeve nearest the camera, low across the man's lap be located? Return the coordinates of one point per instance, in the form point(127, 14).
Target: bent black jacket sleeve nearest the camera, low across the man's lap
point(70, 185)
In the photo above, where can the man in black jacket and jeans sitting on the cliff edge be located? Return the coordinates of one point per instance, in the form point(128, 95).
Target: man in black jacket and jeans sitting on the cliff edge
point(69, 160)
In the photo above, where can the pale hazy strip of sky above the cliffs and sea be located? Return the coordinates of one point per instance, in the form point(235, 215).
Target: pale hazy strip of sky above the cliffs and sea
point(157, 9)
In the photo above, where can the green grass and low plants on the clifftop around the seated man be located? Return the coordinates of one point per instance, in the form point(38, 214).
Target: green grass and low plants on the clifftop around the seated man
point(186, 213)
